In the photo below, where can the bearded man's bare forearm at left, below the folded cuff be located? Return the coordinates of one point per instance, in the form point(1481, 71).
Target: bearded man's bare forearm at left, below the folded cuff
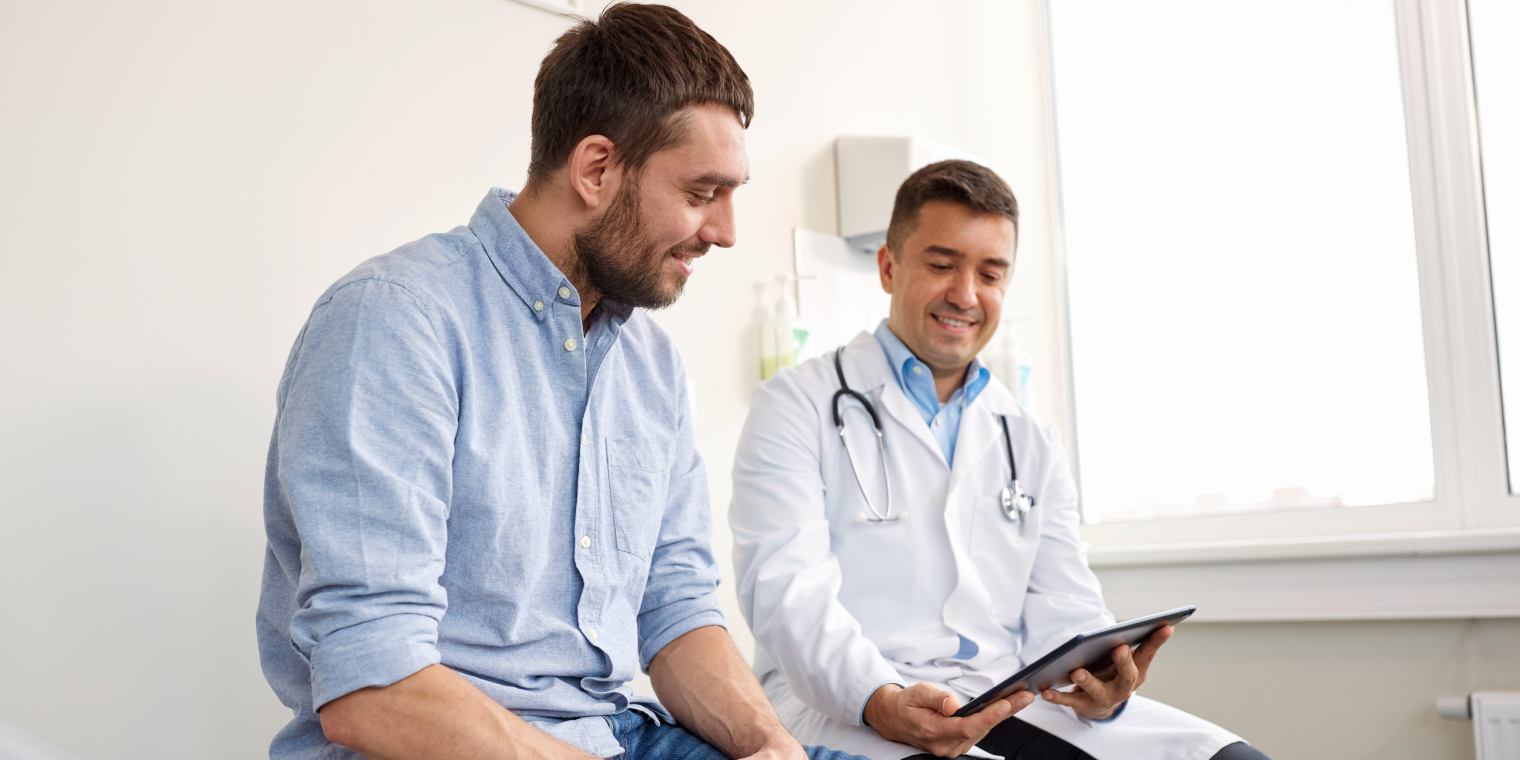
point(435, 714)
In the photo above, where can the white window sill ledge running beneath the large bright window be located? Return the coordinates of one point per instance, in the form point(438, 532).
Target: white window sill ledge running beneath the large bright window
point(1392, 577)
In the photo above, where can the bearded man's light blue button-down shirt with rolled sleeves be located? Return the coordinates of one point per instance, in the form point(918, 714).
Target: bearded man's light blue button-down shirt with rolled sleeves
point(460, 477)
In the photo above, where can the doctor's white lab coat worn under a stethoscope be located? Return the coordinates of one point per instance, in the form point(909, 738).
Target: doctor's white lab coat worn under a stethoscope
point(840, 606)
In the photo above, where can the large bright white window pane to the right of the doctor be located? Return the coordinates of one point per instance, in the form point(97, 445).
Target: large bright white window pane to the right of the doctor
point(1241, 249)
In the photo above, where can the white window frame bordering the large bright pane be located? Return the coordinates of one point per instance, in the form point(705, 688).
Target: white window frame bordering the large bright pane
point(1474, 510)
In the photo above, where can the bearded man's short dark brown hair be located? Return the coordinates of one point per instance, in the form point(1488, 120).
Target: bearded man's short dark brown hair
point(629, 77)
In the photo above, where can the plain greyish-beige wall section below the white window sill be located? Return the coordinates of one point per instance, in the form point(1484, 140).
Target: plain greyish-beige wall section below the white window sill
point(1338, 691)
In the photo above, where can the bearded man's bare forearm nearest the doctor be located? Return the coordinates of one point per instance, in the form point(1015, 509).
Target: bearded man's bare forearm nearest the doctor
point(712, 692)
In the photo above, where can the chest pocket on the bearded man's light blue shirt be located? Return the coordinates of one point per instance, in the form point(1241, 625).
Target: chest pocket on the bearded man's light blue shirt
point(638, 480)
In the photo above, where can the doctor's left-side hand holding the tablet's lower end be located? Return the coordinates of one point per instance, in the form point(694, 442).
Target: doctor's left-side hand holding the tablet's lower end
point(922, 717)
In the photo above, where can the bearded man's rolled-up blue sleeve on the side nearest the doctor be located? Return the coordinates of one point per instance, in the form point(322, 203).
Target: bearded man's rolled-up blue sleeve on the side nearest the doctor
point(682, 594)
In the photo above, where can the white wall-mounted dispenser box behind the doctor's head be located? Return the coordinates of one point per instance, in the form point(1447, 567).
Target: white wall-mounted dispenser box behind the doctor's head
point(869, 171)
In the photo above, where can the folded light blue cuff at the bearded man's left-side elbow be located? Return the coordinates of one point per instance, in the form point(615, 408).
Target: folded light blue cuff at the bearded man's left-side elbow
point(375, 653)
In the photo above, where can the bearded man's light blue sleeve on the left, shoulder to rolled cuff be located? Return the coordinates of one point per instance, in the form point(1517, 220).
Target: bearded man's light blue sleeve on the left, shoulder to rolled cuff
point(366, 440)
